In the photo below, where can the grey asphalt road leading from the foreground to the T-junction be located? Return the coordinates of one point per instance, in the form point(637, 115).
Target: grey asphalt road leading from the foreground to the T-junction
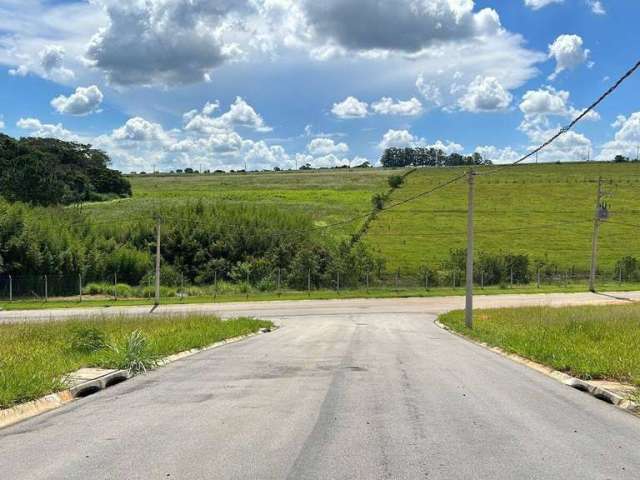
point(351, 390)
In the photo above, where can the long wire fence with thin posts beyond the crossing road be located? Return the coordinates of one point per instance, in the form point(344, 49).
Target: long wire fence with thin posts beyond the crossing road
point(75, 287)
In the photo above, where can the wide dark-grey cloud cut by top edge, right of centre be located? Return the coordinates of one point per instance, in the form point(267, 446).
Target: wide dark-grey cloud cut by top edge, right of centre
point(400, 25)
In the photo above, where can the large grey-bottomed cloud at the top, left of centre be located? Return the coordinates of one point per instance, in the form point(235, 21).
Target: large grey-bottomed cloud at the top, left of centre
point(163, 41)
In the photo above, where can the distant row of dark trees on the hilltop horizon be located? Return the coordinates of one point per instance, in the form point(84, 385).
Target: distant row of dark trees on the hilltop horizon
point(427, 157)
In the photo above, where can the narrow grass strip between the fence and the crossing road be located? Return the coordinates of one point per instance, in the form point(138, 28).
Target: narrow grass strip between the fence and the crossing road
point(259, 296)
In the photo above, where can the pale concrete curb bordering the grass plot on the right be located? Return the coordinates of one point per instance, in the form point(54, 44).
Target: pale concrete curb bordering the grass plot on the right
point(584, 386)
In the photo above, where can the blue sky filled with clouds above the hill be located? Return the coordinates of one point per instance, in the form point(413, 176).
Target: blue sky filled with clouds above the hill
point(217, 84)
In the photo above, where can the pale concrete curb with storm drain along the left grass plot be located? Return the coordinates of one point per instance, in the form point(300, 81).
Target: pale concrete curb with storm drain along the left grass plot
point(24, 411)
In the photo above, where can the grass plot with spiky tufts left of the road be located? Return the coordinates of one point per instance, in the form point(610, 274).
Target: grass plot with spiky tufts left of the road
point(35, 357)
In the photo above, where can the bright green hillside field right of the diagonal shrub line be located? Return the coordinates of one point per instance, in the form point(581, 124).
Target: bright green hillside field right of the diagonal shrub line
point(533, 198)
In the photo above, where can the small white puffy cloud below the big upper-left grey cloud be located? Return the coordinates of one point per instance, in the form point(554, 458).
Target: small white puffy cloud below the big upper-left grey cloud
point(240, 114)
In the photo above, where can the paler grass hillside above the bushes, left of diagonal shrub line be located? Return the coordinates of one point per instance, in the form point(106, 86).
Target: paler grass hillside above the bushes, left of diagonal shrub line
point(328, 196)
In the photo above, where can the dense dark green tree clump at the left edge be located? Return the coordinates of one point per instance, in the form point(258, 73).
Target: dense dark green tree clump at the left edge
point(46, 171)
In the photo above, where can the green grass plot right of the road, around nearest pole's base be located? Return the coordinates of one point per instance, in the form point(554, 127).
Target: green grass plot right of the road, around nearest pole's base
point(589, 342)
